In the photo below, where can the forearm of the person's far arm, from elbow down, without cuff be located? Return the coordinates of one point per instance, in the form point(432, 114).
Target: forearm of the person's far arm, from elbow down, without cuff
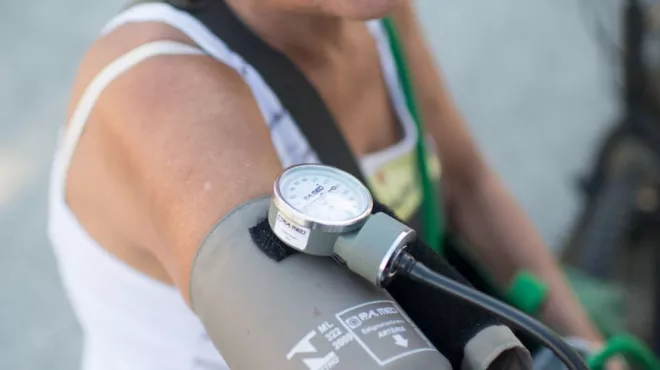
point(503, 239)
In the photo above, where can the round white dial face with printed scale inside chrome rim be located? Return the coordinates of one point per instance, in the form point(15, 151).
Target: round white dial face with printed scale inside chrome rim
point(324, 194)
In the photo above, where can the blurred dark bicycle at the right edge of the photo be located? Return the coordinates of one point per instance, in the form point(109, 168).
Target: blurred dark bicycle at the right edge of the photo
point(616, 240)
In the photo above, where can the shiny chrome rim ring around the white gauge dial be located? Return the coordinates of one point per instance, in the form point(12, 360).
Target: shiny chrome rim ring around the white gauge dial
point(313, 223)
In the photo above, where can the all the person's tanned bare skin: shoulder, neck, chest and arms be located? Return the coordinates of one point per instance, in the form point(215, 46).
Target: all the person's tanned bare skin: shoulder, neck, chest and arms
point(177, 142)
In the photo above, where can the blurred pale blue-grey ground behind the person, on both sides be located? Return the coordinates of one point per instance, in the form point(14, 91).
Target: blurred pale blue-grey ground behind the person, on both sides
point(528, 76)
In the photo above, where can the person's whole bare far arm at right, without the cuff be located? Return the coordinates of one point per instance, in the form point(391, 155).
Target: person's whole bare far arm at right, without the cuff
point(502, 237)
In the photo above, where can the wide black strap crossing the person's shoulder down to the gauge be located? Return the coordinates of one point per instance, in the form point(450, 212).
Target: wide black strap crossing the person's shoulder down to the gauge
point(295, 92)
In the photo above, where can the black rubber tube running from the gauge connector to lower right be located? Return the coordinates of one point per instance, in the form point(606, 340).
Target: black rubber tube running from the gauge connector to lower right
point(407, 265)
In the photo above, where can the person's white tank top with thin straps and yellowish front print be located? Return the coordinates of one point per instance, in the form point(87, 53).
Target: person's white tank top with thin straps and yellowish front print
point(133, 322)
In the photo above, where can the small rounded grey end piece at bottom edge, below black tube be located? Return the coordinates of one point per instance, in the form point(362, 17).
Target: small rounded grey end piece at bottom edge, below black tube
point(495, 348)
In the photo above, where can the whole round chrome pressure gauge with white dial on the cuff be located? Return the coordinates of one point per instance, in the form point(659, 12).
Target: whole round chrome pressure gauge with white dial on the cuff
point(312, 204)
